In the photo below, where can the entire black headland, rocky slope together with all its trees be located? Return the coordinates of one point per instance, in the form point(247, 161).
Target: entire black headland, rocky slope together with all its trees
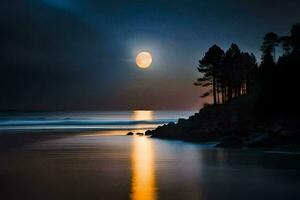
point(255, 104)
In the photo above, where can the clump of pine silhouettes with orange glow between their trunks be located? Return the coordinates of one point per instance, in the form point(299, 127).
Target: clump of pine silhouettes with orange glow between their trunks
point(230, 73)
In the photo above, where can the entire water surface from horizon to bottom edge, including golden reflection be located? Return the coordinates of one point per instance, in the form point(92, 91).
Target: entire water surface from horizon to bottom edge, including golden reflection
point(106, 164)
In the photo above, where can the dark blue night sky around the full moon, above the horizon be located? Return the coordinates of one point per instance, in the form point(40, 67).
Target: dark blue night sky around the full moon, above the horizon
point(80, 54)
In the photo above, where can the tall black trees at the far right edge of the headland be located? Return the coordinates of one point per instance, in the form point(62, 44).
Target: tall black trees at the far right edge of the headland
point(278, 81)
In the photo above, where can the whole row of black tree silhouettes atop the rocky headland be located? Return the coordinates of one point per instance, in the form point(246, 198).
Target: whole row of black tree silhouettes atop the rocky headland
point(274, 83)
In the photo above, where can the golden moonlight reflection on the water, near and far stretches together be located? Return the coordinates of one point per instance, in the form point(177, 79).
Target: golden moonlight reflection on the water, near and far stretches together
point(143, 186)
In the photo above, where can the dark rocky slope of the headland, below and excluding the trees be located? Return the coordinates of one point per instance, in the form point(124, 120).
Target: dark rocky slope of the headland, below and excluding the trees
point(234, 125)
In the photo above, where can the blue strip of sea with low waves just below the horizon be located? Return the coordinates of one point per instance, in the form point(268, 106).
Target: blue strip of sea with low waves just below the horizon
point(105, 120)
